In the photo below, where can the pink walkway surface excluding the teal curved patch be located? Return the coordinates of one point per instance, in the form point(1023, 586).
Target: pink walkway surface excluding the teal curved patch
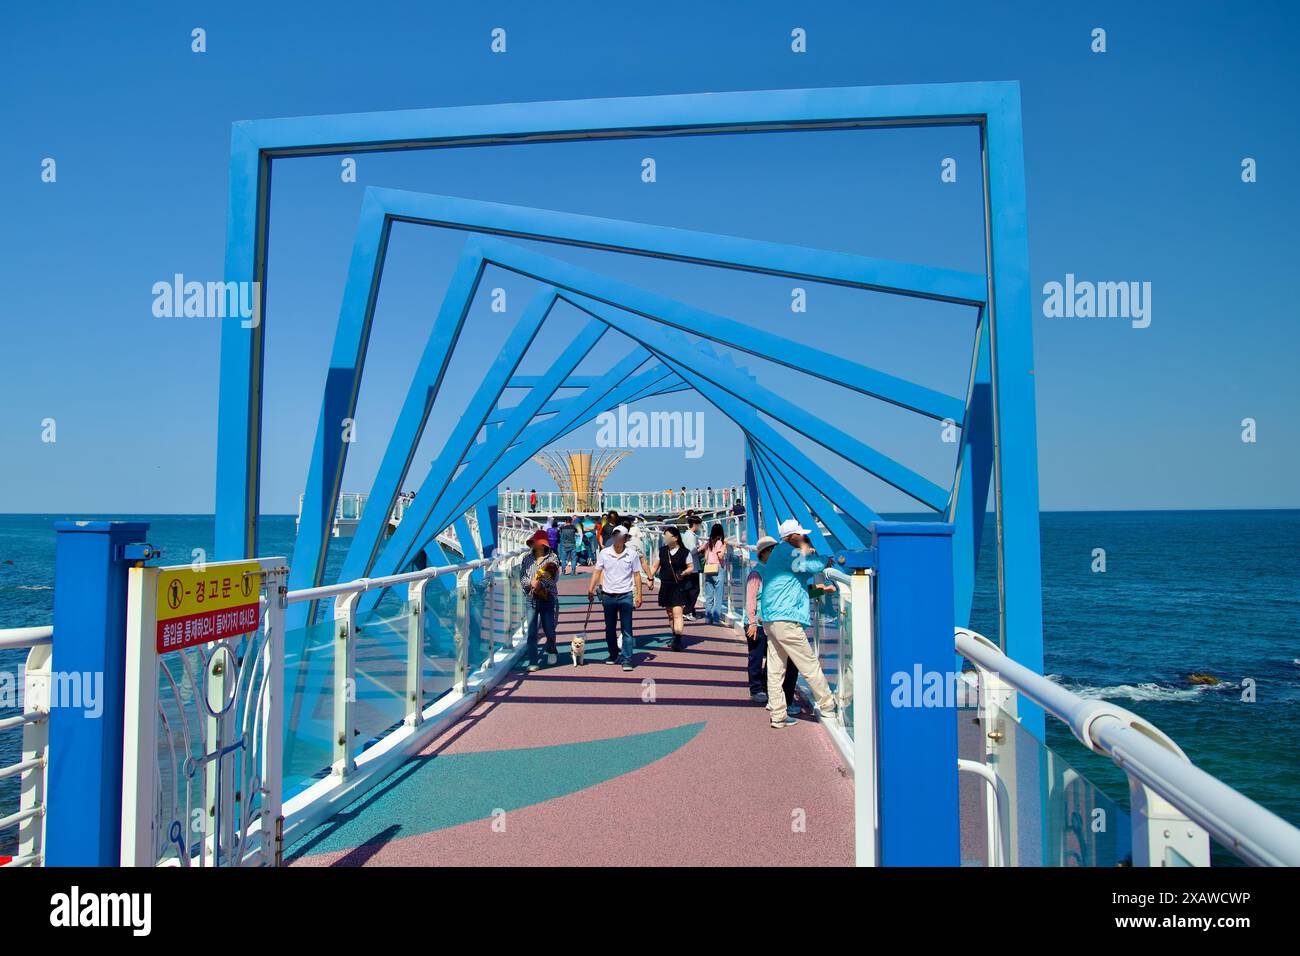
point(736, 794)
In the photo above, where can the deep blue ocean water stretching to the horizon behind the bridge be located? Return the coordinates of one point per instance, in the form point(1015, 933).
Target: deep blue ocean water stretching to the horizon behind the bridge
point(1182, 594)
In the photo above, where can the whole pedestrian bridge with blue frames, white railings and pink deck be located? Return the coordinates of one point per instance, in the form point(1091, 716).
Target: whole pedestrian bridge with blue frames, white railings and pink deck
point(271, 710)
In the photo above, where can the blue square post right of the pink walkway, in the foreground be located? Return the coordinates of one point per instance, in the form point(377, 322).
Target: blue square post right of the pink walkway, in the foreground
point(916, 711)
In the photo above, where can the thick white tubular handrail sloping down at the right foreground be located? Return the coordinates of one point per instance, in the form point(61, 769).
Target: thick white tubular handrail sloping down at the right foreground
point(1250, 830)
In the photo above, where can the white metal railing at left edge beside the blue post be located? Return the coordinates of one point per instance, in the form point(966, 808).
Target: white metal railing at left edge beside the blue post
point(34, 724)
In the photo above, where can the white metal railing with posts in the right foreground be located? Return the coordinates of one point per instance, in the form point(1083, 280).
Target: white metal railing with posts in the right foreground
point(1175, 804)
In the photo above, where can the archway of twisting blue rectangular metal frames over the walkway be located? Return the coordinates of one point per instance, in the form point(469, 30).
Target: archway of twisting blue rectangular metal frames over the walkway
point(996, 416)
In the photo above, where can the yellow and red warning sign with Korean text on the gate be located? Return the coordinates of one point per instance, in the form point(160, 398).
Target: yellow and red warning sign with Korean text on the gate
point(210, 605)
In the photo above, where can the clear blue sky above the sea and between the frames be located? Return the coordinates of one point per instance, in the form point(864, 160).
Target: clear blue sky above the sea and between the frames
point(1133, 165)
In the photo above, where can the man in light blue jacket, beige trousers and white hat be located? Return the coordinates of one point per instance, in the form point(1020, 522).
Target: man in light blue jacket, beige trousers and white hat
point(787, 611)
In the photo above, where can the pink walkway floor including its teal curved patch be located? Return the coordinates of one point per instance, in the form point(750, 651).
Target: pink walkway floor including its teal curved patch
point(668, 765)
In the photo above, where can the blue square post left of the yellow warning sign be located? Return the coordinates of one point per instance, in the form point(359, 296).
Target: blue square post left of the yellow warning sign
point(85, 794)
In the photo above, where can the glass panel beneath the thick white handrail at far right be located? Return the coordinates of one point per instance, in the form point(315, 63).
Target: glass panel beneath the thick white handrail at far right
point(1050, 815)
